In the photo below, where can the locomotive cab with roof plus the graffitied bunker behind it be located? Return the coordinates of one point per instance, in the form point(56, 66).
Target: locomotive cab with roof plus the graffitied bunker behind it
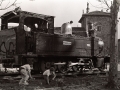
point(21, 39)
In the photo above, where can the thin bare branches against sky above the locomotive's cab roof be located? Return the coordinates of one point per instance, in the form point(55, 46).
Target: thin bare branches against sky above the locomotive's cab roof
point(7, 4)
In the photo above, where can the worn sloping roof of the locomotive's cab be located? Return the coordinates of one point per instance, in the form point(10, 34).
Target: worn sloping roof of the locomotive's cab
point(13, 16)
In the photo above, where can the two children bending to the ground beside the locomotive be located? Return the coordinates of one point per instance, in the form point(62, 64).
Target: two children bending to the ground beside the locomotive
point(25, 71)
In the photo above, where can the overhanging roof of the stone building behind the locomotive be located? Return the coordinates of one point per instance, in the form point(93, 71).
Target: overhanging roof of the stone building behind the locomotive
point(94, 13)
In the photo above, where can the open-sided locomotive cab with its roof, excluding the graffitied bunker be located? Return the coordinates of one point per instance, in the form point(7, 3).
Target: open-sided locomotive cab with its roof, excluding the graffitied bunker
point(26, 28)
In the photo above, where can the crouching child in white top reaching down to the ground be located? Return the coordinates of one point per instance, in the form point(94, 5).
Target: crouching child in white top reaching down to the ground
point(49, 75)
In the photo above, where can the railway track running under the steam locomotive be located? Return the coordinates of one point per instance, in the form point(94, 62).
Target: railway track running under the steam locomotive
point(16, 76)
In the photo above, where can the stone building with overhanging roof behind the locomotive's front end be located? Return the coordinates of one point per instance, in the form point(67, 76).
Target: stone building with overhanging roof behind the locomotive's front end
point(101, 25)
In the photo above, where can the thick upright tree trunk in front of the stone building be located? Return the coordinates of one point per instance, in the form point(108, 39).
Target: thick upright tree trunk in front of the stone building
point(113, 70)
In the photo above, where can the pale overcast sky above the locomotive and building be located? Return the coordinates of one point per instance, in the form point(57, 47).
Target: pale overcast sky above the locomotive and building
point(63, 10)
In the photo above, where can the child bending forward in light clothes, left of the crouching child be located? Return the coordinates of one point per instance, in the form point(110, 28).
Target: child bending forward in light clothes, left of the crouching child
point(25, 71)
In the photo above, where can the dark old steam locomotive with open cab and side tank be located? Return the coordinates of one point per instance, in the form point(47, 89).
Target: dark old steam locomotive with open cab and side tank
point(33, 40)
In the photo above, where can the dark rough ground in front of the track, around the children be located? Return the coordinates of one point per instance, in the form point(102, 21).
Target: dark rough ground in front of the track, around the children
point(69, 82)
